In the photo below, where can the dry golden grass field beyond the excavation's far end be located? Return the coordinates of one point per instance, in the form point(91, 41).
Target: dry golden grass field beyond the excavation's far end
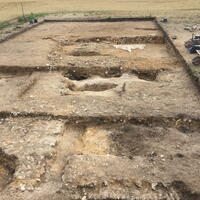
point(10, 9)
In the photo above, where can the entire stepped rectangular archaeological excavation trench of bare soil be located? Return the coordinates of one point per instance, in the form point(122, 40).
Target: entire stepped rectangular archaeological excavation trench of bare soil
point(97, 111)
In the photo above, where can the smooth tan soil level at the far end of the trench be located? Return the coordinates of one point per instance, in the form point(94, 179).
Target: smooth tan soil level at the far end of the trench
point(33, 47)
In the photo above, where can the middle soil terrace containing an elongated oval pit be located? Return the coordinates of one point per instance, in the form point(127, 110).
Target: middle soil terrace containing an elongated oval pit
point(53, 94)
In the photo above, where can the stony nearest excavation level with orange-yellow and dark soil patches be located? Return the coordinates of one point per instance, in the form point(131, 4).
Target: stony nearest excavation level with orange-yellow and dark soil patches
point(97, 161)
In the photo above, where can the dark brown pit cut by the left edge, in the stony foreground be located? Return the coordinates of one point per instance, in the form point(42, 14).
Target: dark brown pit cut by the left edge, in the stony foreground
point(7, 168)
